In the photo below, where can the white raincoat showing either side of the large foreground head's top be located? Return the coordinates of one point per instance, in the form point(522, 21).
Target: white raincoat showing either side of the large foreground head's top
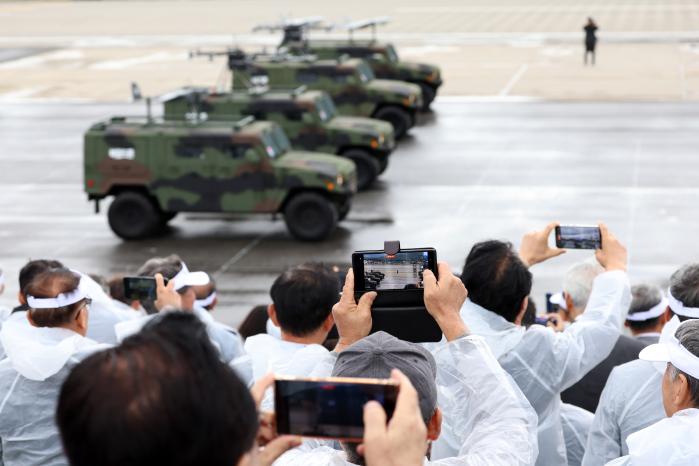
point(225, 339)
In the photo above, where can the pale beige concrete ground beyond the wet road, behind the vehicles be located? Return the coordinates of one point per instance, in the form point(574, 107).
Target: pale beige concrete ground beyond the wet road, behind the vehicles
point(502, 49)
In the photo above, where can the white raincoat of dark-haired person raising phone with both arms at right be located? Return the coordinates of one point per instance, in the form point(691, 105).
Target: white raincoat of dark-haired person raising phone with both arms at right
point(544, 363)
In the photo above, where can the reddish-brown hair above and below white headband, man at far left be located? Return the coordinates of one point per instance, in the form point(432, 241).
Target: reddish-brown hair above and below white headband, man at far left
point(49, 284)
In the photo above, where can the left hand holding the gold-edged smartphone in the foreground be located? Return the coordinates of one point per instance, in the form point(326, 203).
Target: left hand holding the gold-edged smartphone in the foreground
point(271, 445)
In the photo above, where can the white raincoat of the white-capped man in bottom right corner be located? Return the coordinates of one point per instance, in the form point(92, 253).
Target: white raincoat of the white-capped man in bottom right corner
point(671, 441)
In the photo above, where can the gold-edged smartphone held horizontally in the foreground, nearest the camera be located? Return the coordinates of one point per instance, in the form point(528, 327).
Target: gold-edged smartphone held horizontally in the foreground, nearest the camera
point(331, 408)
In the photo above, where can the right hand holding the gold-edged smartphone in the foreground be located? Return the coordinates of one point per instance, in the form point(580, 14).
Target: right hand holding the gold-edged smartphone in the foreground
point(401, 442)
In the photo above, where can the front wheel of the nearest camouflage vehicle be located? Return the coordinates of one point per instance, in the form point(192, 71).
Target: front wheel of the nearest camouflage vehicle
point(310, 216)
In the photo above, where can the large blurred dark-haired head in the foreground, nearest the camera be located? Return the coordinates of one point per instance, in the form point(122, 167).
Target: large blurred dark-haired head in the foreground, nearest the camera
point(149, 401)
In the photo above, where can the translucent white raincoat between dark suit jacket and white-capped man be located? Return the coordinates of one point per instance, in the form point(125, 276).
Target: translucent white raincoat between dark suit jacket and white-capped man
point(632, 400)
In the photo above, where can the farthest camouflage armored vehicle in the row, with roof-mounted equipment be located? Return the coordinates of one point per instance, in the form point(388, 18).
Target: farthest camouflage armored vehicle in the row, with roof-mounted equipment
point(381, 56)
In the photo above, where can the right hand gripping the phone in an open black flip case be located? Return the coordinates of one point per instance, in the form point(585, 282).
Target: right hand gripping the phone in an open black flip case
point(443, 300)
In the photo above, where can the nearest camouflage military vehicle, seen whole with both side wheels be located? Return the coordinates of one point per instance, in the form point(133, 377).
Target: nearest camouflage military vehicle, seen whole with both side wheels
point(156, 169)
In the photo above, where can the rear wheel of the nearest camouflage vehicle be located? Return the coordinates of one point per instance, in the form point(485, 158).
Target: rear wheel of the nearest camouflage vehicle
point(132, 215)
